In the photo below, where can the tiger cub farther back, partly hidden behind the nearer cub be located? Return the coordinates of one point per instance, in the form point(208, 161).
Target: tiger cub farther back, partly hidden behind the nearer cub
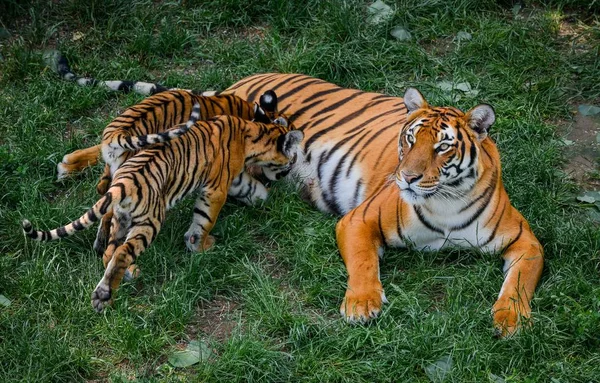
point(153, 116)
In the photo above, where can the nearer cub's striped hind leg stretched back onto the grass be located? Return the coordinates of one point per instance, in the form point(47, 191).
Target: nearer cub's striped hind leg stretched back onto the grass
point(138, 239)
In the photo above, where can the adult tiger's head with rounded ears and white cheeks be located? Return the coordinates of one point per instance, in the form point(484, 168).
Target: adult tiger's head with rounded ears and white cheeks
point(439, 149)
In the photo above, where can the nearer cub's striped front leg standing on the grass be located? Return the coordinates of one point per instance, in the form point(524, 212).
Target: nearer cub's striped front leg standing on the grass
point(206, 210)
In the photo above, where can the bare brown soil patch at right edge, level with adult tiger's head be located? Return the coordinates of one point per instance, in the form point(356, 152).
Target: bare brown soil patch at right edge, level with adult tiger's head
point(583, 155)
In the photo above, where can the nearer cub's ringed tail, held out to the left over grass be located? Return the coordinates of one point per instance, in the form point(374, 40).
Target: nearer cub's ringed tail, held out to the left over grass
point(88, 219)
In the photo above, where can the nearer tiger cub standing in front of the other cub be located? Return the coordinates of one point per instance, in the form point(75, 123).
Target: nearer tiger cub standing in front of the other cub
point(208, 156)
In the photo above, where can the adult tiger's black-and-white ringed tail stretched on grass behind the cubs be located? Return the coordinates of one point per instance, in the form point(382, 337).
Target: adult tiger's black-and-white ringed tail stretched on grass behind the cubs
point(61, 66)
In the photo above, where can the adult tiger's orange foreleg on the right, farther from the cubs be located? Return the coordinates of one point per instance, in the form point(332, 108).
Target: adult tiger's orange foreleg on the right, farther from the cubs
point(523, 263)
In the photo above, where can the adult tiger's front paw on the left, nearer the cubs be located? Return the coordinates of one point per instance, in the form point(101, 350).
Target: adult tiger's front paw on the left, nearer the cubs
point(361, 307)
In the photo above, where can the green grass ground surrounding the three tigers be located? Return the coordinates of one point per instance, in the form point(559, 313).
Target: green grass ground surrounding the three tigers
point(277, 265)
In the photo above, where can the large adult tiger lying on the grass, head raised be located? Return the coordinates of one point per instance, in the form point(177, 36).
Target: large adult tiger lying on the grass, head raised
point(448, 188)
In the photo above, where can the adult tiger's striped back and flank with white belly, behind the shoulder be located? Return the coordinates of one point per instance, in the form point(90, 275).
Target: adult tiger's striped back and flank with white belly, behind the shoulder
point(350, 136)
